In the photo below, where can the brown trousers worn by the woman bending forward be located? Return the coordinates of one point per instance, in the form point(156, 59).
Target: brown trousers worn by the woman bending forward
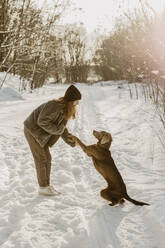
point(42, 159)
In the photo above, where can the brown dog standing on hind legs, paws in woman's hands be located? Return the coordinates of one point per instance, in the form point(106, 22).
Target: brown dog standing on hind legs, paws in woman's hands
point(116, 191)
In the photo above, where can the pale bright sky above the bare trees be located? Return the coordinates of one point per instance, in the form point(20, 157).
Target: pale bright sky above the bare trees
point(96, 13)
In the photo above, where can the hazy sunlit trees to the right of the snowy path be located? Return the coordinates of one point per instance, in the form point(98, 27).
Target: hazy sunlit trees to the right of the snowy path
point(134, 48)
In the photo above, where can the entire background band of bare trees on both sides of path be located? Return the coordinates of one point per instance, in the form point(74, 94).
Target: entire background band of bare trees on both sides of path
point(34, 46)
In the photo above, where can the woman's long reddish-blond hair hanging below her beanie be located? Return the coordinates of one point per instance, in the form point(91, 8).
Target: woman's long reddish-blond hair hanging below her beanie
point(69, 109)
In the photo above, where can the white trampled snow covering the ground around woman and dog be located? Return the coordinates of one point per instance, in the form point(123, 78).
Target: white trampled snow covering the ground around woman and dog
point(79, 217)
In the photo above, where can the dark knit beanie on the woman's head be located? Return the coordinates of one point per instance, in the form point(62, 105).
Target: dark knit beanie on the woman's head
point(72, 94)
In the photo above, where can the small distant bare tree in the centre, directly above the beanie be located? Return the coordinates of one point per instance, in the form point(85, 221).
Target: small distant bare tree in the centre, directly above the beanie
point(76, 64)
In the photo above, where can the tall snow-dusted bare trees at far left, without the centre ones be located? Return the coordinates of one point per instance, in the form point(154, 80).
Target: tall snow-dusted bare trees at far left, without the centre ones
point(26, 47)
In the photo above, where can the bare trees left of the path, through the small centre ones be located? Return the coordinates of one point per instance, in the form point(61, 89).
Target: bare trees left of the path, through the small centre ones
point(34, 46)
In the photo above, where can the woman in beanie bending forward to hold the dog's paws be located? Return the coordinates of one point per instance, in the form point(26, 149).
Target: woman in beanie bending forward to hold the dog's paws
point(43, 128)
